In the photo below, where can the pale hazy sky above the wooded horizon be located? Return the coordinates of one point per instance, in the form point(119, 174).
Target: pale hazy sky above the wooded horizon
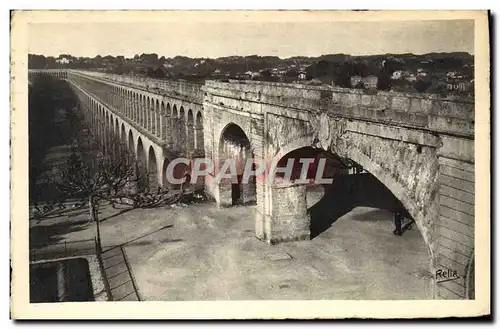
point(211, 37)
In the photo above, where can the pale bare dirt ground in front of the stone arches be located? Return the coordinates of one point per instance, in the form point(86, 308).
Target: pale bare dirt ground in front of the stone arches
point(201, 252)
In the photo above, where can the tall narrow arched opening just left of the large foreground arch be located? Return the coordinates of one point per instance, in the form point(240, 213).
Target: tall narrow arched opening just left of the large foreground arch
point(234, 152)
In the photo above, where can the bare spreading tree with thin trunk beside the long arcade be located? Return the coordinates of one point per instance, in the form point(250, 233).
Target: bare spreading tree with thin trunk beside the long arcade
point(105, 170)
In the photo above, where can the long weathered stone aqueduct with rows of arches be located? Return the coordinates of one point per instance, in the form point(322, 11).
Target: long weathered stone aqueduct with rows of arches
point(419, 146)
